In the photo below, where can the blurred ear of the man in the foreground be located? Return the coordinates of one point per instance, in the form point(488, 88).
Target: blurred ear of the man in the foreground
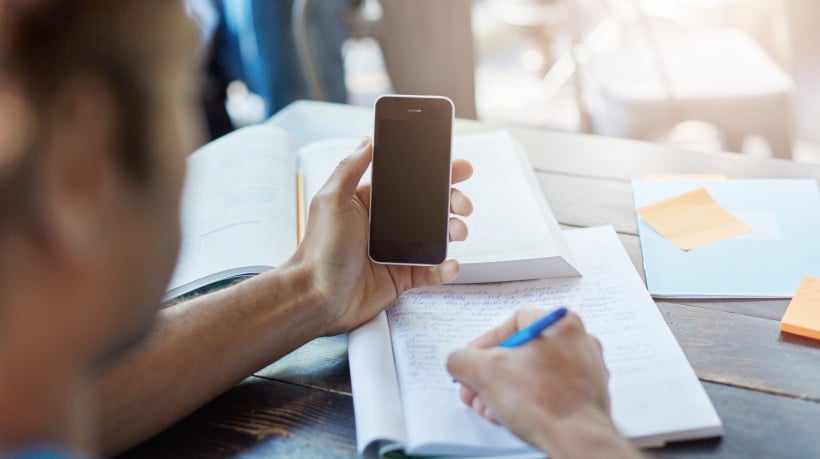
point(80, 184)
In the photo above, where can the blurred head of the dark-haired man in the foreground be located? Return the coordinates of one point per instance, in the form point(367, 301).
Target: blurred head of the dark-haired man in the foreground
point(96, 116)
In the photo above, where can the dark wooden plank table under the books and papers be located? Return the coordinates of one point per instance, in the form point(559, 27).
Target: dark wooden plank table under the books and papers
point(765, 385)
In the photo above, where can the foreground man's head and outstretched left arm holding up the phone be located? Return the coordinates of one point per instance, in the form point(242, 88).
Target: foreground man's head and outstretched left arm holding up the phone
point(98, 110)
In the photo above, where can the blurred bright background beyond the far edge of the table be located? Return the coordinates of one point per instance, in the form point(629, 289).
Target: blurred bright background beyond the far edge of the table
point(706, 75)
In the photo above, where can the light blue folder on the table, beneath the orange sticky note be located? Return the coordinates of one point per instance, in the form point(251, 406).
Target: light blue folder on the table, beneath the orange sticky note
point(769, 262)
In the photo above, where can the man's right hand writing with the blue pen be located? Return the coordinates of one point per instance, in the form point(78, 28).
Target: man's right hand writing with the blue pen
point(551, 392)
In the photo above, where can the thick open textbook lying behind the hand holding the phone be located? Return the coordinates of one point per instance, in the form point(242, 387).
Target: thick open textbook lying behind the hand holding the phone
point(241, 210)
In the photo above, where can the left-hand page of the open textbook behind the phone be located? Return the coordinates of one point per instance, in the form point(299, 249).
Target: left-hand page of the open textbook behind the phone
point(238, 208)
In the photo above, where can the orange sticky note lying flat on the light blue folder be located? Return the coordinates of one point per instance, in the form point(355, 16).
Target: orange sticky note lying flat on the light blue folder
point(692, 220)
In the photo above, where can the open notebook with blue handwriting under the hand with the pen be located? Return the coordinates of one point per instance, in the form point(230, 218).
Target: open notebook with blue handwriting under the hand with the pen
point(404, 399)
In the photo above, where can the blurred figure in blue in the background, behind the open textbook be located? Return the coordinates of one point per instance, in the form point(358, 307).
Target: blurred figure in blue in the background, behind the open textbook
point(252, 41)
